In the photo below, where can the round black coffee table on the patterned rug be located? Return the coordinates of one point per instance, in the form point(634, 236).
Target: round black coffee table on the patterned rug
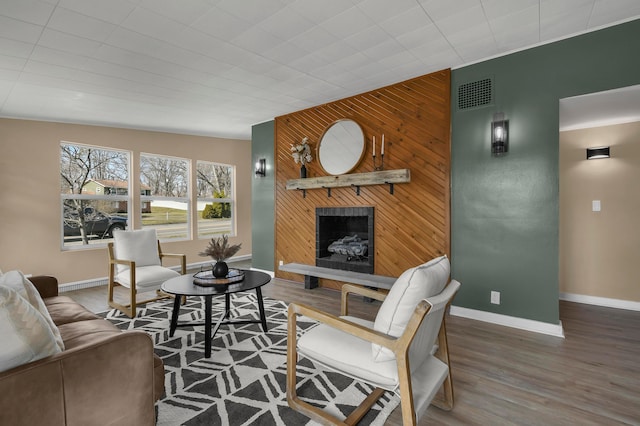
point(184, 286)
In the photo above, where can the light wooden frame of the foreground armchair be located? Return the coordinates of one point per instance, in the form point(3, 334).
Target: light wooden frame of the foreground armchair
point(399, 346)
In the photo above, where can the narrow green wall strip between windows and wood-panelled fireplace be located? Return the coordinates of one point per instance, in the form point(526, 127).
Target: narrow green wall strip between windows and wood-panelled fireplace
point(263, 200)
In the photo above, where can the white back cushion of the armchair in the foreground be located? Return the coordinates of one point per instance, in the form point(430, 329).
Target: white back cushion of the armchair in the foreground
point(410, 288)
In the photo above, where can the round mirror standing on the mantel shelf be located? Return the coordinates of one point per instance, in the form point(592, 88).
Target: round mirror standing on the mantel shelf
point(341, 147)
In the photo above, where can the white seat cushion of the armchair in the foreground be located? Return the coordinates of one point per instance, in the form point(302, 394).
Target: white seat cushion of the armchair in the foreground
point(353, 358)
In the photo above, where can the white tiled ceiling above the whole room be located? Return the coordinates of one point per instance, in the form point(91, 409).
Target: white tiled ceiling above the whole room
point(217, 67)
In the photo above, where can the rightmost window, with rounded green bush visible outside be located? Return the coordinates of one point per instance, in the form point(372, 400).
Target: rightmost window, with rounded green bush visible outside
point(216, 207)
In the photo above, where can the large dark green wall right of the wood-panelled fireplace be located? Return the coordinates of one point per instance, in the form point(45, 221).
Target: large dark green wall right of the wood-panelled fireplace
point(504, 211)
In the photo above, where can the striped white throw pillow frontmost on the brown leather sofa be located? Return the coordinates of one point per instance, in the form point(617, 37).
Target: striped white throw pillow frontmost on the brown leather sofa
point(26, 336)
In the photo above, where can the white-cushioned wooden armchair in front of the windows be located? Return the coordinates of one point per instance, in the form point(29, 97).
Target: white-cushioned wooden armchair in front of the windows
point(135, 262)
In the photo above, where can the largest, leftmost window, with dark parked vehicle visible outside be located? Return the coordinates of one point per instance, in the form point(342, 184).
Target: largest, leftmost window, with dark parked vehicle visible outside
point(90, 212)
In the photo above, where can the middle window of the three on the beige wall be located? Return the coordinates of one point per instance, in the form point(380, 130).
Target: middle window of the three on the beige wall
point(164, 183)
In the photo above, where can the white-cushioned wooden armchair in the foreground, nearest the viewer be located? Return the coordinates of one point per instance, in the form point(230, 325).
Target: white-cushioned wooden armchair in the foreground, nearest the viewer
point(404, 351)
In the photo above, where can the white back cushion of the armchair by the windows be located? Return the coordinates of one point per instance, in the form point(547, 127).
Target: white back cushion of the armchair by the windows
point(140, 246)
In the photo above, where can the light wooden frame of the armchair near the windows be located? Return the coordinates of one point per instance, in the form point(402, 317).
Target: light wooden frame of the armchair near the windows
point(130, 308)
